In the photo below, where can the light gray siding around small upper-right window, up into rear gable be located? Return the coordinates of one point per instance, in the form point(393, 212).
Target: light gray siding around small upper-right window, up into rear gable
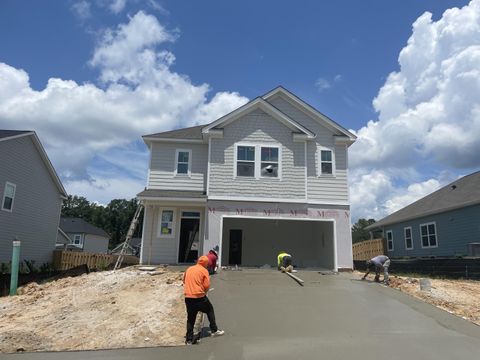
point(323, 188)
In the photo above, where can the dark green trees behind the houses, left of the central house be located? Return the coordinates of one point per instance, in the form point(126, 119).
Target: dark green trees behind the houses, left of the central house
point(115, 218)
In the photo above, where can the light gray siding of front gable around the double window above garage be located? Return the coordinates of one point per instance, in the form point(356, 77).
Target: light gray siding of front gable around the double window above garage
point(257, 127)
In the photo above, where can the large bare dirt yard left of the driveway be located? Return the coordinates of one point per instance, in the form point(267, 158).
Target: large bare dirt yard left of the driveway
point(126, 308)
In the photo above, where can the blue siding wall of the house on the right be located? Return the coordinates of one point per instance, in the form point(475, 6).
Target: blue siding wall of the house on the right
point(455, 229)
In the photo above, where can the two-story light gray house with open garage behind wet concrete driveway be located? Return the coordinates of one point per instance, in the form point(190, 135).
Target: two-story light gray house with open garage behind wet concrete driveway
point(269, 176)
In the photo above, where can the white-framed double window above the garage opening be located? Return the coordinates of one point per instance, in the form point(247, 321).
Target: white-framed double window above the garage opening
point(257, 160)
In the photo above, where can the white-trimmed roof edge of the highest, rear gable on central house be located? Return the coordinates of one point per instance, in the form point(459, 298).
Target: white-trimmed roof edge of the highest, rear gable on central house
point(309, 110)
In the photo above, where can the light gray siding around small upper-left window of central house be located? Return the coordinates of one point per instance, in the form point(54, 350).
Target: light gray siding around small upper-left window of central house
point(162, 166)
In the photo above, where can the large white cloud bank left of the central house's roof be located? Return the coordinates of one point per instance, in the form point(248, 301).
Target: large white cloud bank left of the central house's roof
point(140, 95)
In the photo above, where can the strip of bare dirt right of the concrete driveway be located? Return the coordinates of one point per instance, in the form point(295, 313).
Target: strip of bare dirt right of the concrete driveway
point(459, 297)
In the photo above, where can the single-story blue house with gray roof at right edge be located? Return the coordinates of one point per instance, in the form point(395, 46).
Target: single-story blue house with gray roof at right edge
point(444, 223)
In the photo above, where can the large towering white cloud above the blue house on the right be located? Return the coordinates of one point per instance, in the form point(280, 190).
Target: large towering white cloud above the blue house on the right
point(429, 116)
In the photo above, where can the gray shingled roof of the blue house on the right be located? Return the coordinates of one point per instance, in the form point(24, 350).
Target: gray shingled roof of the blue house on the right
point(460, 193)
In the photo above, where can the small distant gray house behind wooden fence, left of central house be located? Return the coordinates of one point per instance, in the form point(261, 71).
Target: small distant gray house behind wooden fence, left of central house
point(84, 235)
